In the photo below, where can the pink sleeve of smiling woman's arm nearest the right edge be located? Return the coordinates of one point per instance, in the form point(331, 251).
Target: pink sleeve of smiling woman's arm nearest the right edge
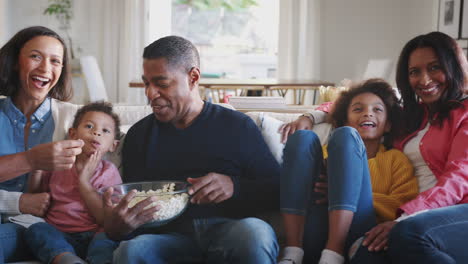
point(452, 184)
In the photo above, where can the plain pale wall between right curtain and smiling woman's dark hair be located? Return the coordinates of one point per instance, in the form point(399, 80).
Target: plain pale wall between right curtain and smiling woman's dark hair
point(352, 32)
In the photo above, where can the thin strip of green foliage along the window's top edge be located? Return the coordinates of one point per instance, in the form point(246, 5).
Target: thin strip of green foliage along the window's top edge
point(231, 5)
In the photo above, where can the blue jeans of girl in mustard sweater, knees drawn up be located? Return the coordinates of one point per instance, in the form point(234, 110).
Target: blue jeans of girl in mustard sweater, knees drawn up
point(349, 186)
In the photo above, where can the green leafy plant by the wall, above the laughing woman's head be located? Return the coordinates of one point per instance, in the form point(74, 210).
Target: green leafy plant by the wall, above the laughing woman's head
point(63, 12)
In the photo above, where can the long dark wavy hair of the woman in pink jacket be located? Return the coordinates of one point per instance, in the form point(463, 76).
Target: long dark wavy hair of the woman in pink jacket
point(454, 67)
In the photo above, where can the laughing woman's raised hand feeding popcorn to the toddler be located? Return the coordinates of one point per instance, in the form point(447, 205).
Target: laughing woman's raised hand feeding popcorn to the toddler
point(52, 156)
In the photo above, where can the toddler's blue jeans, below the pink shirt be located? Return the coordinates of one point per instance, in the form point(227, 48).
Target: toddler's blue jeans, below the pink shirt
point(46, 242)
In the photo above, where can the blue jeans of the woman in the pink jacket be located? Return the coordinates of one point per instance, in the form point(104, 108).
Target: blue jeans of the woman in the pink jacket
point(436, 236)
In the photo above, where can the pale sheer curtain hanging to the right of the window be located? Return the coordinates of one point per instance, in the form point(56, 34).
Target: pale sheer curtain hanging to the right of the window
point(299, 41)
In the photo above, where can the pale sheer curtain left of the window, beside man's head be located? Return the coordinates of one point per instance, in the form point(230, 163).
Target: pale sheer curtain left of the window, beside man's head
point(121, 37)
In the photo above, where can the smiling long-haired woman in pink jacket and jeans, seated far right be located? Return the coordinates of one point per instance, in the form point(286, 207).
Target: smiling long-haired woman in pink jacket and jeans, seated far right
point(432, 78)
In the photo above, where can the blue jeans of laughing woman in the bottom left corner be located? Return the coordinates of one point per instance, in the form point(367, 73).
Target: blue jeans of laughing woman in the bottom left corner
point(13, 247)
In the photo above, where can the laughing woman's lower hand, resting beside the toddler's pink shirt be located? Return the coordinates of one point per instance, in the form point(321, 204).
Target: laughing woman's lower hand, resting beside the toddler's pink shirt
point(34, 203)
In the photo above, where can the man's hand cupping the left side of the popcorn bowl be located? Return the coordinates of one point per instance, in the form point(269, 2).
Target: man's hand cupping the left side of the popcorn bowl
point(119, 220)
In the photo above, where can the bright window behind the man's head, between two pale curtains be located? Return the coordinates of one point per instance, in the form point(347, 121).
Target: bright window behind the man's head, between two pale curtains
point(236, 39)
